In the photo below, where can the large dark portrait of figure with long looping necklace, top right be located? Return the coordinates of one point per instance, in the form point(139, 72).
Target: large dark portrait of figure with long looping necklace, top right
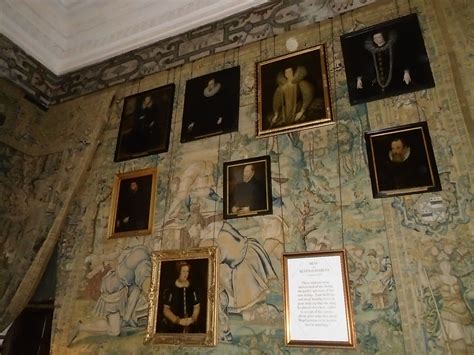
point(385, 60)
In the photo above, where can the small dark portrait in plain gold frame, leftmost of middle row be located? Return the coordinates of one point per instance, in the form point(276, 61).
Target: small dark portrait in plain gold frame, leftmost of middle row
point(133, 203)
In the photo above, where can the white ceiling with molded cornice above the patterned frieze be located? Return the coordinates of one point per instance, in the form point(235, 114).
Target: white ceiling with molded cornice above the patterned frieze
point(65, 35)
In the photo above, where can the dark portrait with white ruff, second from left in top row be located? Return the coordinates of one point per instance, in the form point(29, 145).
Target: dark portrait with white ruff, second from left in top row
point(211, 105)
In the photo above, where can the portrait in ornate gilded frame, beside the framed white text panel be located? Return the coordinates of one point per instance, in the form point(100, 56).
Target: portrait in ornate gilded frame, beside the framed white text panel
point(182, 298)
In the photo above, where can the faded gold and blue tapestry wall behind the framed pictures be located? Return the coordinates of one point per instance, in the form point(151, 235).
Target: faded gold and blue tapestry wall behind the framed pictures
point(322, 199)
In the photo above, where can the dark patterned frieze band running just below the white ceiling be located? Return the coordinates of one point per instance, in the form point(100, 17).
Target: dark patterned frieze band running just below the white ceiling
point(249, 26)
